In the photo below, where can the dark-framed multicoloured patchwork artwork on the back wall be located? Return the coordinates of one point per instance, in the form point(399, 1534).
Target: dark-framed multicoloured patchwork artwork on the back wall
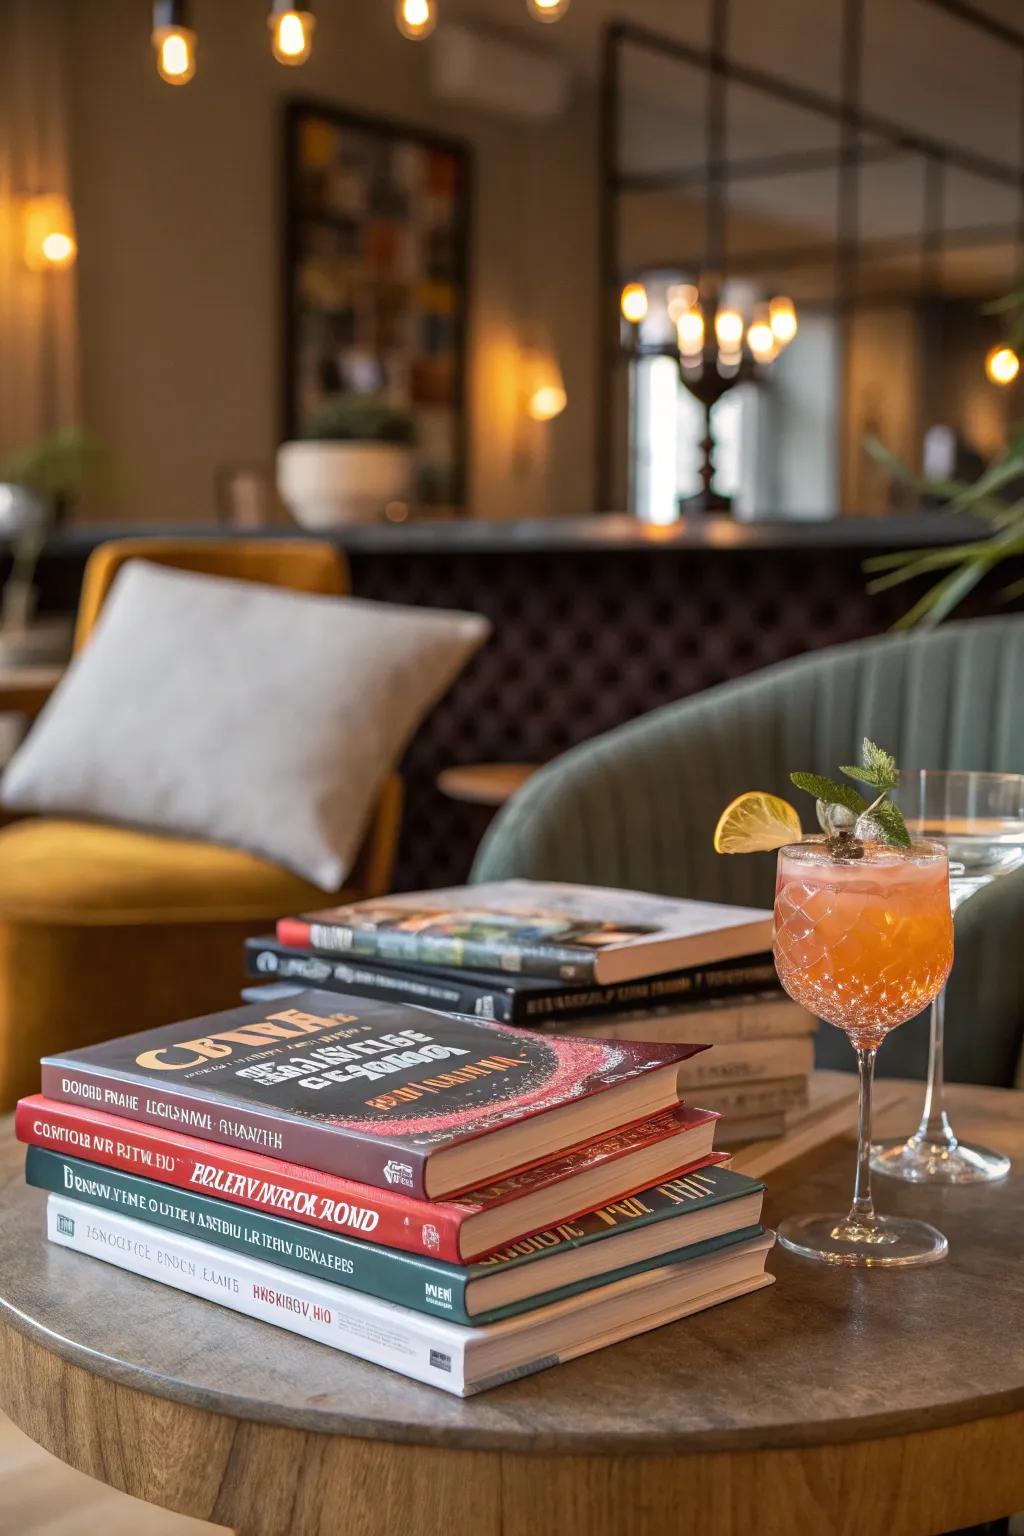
point(377, 280)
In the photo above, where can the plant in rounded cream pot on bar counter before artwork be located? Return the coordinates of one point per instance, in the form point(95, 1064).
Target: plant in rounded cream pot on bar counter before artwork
point(354, 458)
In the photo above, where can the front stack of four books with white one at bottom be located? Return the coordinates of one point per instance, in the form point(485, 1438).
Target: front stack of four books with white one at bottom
point(464, 1202)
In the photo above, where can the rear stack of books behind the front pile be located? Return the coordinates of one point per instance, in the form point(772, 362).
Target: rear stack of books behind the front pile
point(583, 961)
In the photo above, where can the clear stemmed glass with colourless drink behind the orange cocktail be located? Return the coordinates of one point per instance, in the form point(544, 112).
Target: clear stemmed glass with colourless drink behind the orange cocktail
point(980, 821)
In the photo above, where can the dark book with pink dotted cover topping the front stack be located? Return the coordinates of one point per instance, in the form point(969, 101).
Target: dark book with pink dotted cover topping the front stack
point(383, 1094)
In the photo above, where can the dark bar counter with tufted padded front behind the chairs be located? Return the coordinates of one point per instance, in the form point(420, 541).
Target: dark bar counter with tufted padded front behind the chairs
point(595, 623)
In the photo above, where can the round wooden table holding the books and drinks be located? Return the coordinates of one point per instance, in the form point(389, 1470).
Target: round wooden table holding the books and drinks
point(873, 1403)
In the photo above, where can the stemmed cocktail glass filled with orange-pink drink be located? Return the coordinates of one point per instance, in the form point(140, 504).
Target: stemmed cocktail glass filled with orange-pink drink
point(865, 941)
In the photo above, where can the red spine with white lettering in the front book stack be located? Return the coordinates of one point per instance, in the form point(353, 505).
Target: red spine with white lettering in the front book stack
point(352, 1210)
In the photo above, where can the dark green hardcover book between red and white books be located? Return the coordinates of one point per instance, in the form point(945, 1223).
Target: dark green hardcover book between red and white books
point(725, 1207)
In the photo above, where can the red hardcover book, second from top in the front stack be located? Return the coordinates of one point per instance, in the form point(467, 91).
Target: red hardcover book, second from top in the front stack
point(457, 1231)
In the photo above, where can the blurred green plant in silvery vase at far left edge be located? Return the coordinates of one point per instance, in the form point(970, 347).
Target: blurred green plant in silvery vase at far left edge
point(38, 485)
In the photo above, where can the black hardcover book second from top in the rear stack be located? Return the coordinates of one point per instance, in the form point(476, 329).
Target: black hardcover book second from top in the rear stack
point(509, 1001)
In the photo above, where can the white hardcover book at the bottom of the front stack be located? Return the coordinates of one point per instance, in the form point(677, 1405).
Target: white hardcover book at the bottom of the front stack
point(458, 1360)
